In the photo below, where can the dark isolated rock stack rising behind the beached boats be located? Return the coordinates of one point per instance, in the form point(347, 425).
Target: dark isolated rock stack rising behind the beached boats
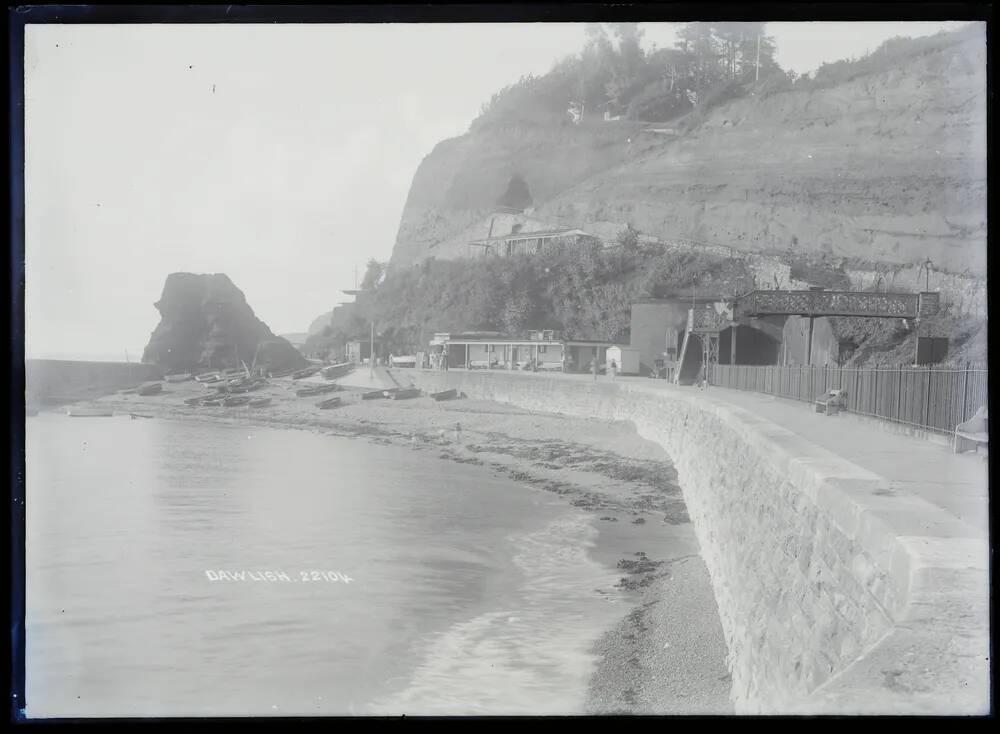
point(206, 323)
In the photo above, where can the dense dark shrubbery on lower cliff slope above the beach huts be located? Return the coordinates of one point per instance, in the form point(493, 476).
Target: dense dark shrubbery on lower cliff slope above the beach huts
point(585, 291)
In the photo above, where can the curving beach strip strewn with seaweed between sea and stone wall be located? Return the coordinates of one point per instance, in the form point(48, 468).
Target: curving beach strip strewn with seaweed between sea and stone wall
point(666, 654)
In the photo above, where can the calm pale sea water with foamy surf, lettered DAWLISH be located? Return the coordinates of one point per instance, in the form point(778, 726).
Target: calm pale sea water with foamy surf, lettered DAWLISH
point(179, 569)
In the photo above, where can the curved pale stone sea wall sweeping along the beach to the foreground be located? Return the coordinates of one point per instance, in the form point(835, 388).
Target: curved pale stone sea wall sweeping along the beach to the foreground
point(834, 596)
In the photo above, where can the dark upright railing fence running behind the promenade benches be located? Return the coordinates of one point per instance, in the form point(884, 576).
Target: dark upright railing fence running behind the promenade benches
point(931, 398)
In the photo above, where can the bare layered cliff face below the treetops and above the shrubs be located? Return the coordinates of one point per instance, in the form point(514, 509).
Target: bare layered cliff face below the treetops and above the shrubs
point(889, 166)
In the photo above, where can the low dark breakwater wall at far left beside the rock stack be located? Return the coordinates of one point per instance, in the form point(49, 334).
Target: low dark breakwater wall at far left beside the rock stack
point(56, 381)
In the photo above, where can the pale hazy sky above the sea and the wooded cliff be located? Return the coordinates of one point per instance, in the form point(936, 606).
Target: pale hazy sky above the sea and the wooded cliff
point(280, 155)
